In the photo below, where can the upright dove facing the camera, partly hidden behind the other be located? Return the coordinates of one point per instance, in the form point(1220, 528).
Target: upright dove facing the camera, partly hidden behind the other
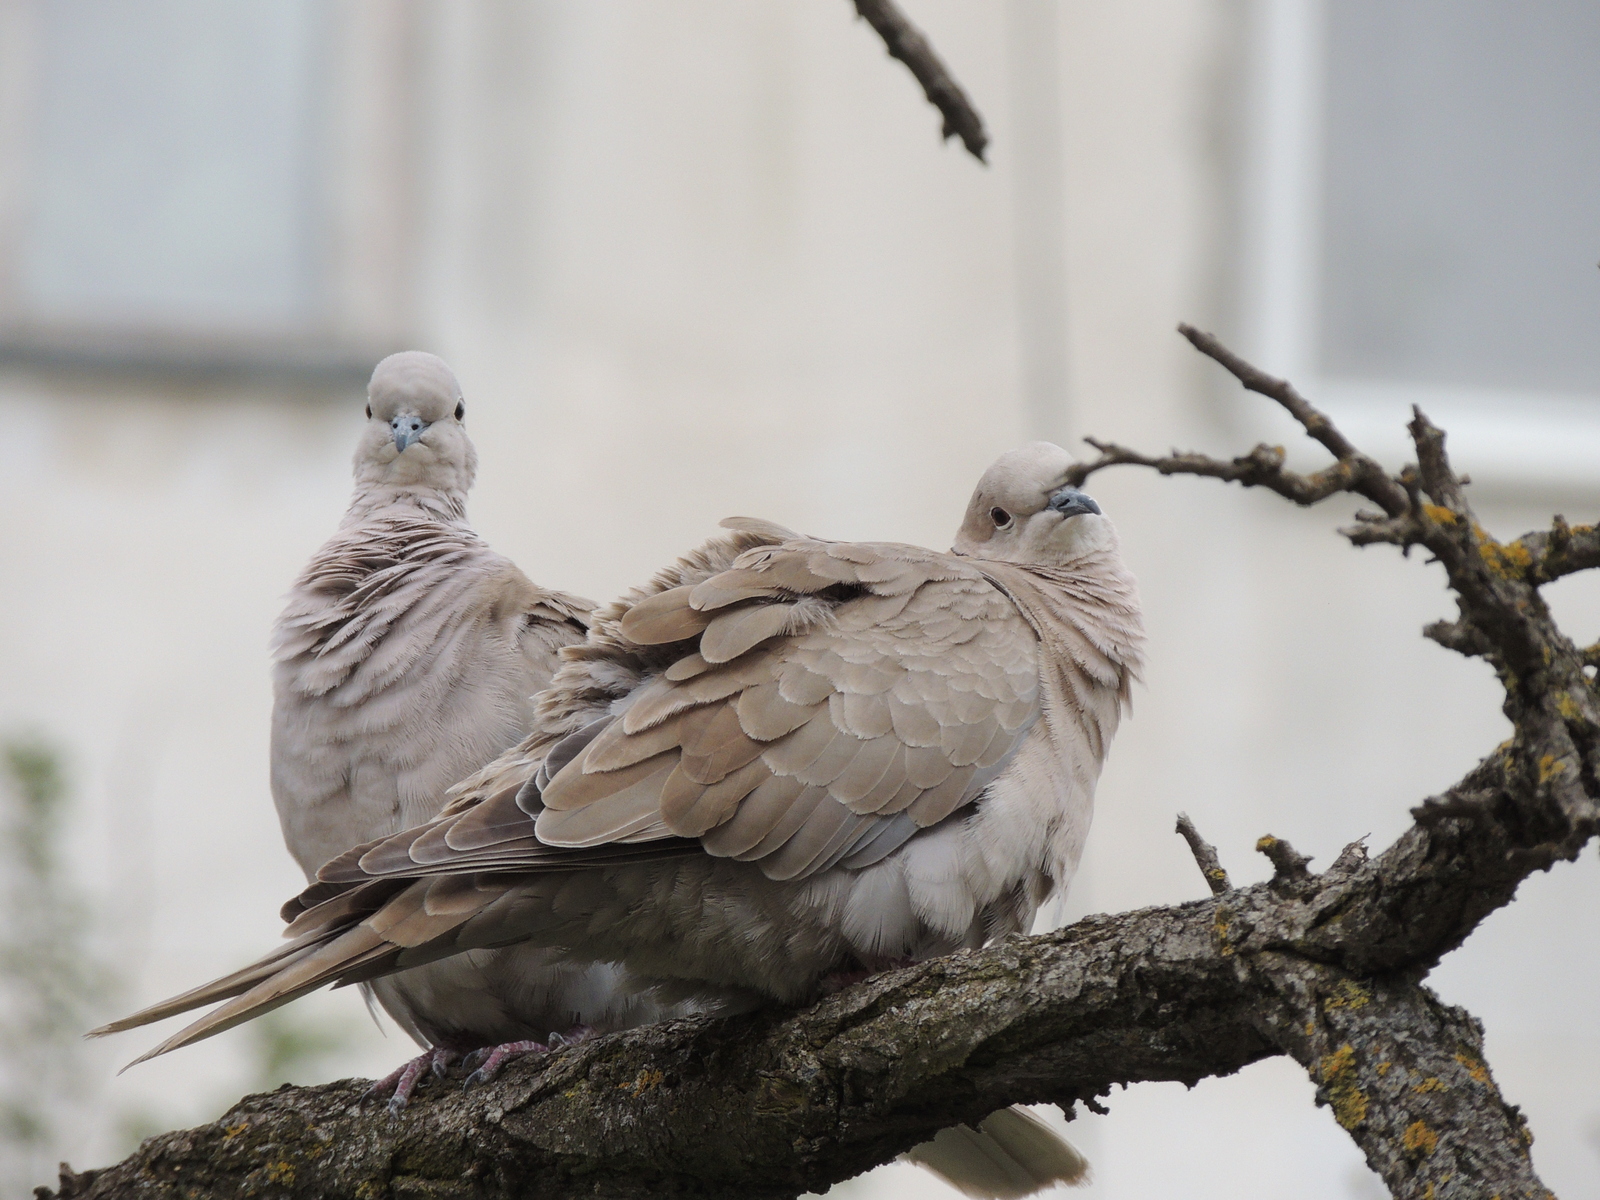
point(407, 658)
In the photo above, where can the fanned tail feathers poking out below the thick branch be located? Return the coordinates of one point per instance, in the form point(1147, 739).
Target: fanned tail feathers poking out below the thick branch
point(1010, 1154)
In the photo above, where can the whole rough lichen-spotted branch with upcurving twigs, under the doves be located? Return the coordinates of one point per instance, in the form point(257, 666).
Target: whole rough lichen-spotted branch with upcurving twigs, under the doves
point(1326, 969)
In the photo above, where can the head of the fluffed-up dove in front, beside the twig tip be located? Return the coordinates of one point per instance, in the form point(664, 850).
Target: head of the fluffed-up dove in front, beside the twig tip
point(1025, 513)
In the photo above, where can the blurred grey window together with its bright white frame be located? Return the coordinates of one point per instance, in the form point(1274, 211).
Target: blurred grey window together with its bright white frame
point(1422, 223)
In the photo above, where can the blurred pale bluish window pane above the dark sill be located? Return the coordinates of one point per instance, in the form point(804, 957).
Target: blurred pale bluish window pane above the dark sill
point(175, 178)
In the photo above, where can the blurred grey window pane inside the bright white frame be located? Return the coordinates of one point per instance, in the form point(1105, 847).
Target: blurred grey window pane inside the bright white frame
point(1462, 193)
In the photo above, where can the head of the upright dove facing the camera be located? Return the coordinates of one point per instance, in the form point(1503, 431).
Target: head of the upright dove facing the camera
point(415, 439)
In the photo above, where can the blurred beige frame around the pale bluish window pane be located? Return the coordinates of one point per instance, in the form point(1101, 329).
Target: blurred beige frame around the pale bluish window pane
point(369, 226)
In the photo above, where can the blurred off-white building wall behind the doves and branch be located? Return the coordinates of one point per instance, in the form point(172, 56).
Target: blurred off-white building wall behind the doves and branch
point(708, 260)
